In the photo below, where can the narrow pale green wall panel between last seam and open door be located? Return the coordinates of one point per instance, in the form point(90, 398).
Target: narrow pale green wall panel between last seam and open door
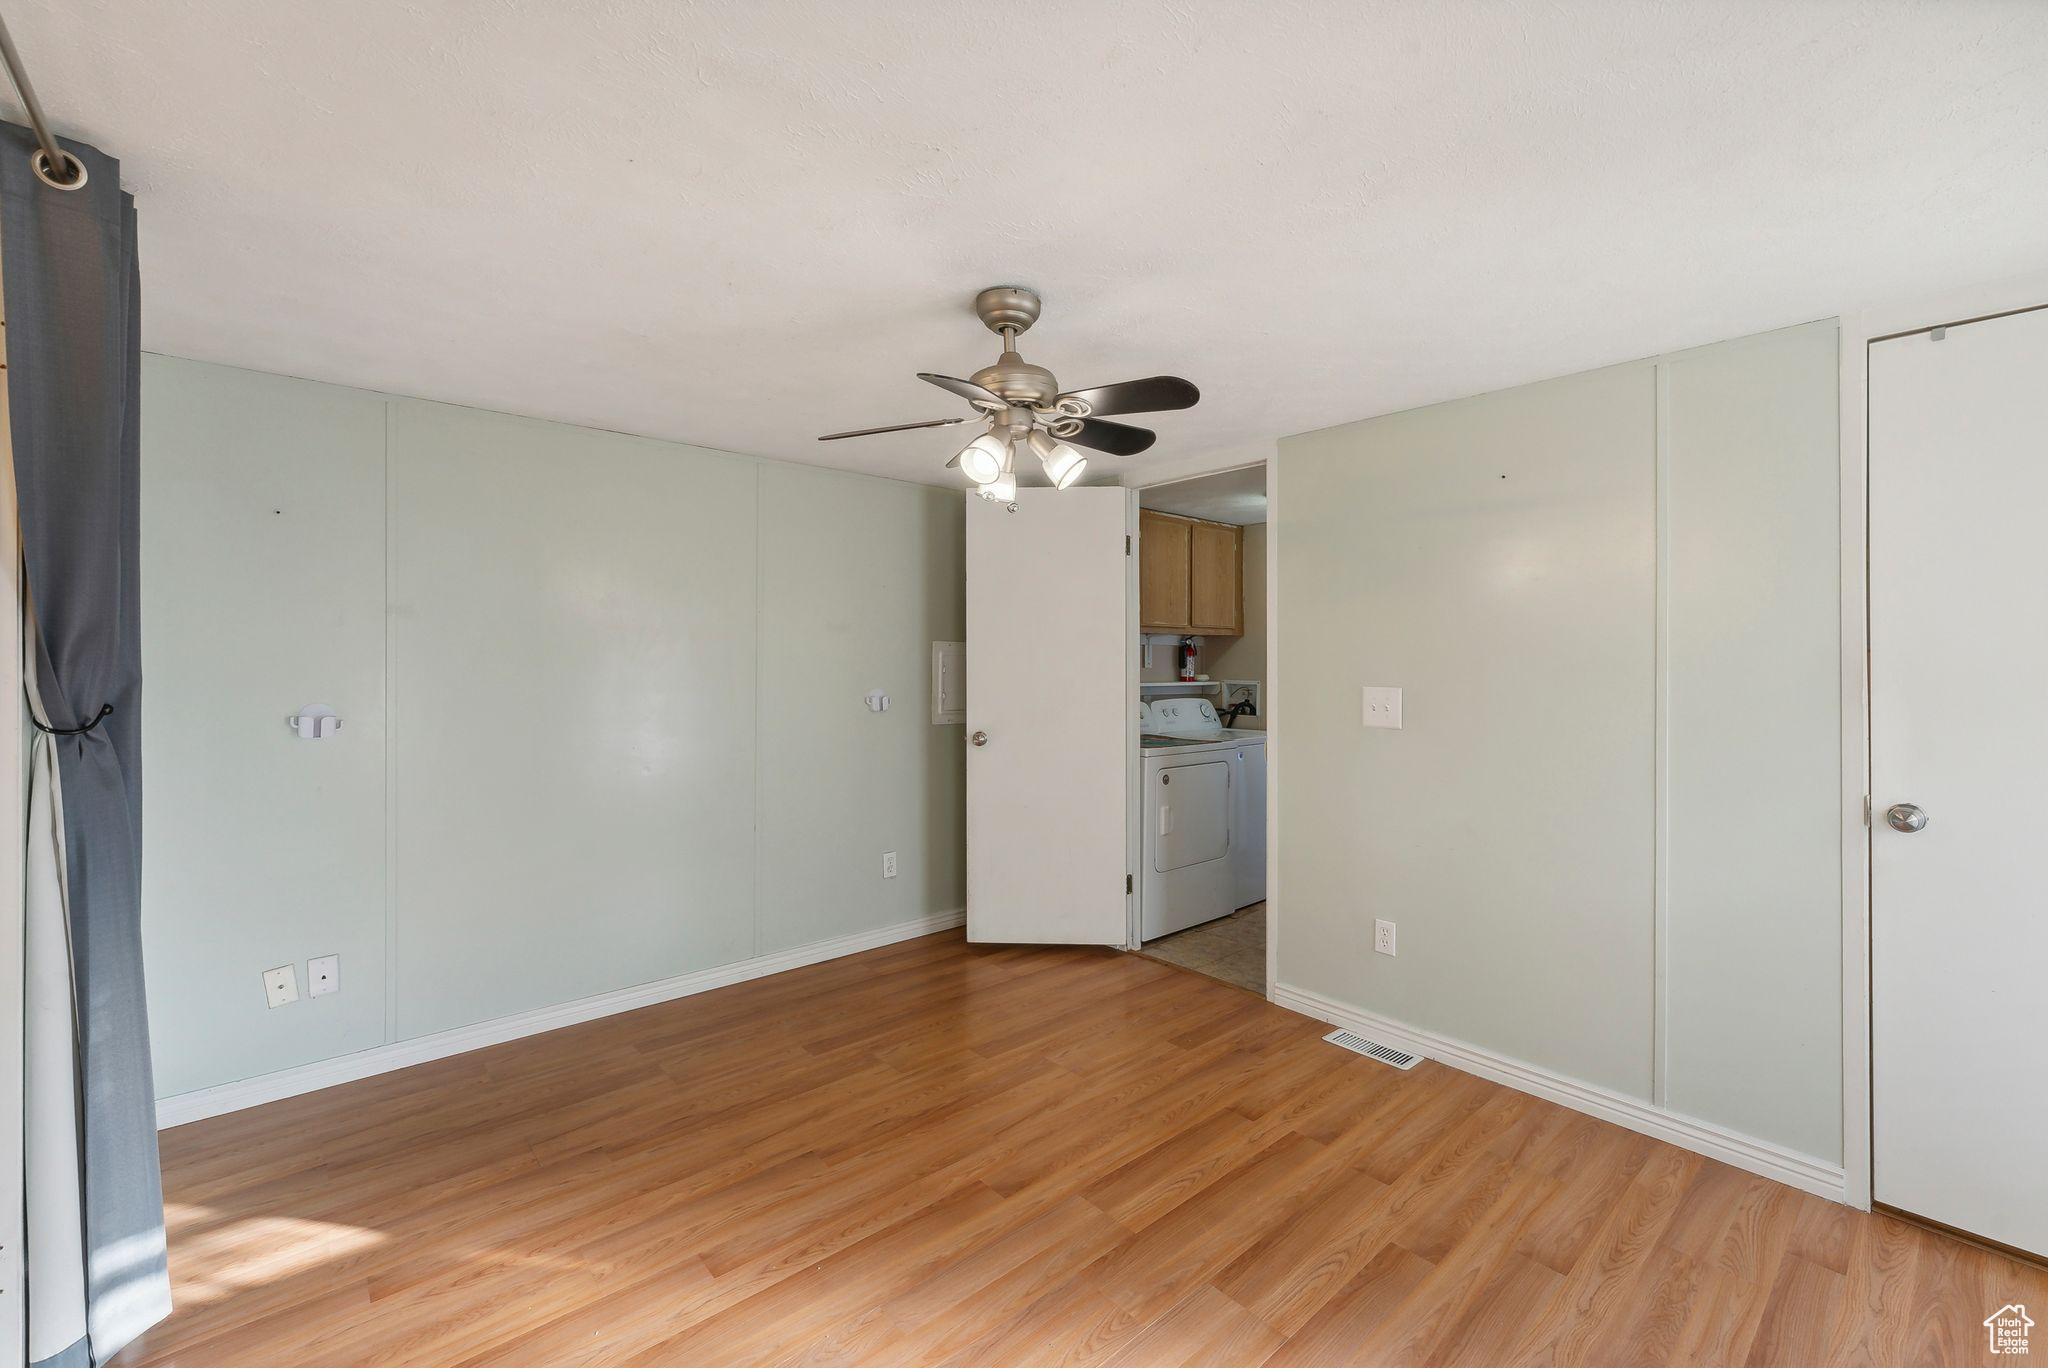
point(847, 581)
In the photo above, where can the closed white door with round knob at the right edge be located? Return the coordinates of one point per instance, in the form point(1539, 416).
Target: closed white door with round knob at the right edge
point(1959, 662)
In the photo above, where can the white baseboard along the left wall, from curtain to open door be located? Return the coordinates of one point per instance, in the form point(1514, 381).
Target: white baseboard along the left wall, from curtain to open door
point(404, 1054)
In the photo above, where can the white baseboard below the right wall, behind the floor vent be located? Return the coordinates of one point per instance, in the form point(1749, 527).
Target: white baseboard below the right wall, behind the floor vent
point(1744, 1152)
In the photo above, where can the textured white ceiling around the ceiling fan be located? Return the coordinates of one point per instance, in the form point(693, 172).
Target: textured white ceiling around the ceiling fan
point(744, 224)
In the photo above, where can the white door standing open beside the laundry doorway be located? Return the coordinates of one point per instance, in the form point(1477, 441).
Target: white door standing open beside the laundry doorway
point(1052, 640)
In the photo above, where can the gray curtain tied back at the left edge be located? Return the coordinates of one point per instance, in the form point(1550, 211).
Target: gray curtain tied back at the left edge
point(73, 384)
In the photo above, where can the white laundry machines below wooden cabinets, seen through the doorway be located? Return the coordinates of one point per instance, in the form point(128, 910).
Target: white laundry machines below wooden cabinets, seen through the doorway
point(1197, 826)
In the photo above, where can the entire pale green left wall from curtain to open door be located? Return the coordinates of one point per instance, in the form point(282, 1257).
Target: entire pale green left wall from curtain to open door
point(593, 650)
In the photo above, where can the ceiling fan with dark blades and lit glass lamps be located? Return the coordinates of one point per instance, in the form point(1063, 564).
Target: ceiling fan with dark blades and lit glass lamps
point(1025, 409)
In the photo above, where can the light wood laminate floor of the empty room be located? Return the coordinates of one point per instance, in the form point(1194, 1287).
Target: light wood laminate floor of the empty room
point(1007, 1156)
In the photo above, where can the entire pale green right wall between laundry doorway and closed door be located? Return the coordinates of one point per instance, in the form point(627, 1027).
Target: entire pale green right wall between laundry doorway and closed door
point(1609, 830)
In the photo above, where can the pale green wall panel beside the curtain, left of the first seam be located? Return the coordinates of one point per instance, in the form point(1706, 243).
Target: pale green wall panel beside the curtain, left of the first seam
point(261, 593)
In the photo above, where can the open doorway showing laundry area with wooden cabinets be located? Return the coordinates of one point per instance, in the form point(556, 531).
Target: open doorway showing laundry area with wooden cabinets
point(1201, 720)
